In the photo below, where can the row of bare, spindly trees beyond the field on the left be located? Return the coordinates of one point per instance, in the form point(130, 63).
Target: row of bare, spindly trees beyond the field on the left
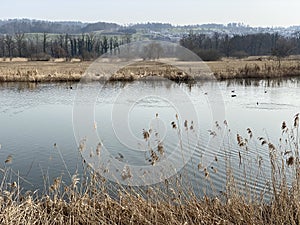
point(45, 46)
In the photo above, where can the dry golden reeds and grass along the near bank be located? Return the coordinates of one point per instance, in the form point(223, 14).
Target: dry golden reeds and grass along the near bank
point(87, 199)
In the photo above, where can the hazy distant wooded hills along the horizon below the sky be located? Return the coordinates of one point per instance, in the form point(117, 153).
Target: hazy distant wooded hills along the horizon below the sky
point(13, 26)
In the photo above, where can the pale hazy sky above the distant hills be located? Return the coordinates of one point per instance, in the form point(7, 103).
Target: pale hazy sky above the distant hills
point(250, 12)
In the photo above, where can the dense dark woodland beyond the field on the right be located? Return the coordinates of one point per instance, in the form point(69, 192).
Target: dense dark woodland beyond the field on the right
point(212, 47)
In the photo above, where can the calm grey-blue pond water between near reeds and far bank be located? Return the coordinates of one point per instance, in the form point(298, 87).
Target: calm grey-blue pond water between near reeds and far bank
point(149, 126)
